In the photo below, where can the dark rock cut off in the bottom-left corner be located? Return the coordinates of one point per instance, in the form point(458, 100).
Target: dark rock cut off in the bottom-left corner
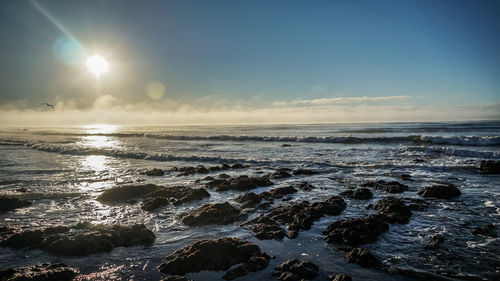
point(39, 272)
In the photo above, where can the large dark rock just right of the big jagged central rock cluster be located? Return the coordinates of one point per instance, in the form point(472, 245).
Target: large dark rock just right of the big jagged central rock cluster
point(348, 233)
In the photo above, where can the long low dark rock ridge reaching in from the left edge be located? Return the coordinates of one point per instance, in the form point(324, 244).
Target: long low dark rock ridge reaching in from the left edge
point(81, 239)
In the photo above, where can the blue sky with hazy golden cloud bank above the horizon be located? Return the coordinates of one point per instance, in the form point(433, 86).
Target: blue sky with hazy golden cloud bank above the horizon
point(183, 62)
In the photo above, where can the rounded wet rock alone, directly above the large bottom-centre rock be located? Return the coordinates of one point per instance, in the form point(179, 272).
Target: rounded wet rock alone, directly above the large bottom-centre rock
point(218, 213)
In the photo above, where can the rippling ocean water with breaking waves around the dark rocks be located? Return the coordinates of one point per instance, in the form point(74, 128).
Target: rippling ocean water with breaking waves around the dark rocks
point(65, 169)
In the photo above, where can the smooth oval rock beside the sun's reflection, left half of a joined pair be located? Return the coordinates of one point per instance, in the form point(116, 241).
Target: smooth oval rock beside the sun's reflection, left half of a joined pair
point(126, 192)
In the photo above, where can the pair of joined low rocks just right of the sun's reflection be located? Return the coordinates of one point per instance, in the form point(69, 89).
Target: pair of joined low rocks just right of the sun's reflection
point(154, 196)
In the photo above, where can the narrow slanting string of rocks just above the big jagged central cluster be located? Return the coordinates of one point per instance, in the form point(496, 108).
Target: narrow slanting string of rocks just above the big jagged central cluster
point(252, 199)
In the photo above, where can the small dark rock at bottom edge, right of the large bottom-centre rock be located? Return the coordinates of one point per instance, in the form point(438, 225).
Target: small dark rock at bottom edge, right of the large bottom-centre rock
point(295, 269)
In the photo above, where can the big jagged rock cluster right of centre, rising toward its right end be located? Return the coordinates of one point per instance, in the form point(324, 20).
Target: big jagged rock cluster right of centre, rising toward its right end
point(297, 216)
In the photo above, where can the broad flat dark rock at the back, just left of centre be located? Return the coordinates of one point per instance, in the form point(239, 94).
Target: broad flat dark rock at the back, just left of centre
point(239, 183)
